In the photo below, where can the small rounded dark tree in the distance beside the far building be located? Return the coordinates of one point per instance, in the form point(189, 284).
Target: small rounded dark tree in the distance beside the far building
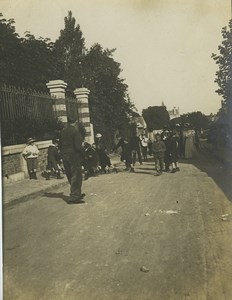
point(156, 117)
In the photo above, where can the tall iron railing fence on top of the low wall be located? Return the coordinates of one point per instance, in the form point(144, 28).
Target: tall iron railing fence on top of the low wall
point(26, 113)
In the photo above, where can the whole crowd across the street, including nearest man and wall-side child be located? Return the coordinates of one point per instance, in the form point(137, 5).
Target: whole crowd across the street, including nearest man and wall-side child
point(70, 155)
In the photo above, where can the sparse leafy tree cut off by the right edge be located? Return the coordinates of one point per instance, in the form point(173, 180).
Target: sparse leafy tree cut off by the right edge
point(224, 74)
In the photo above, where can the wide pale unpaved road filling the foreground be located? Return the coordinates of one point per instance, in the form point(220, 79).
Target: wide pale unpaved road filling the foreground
point(137, 237)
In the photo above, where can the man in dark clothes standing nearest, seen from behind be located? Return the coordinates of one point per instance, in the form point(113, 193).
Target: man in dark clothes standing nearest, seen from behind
point(72, 151)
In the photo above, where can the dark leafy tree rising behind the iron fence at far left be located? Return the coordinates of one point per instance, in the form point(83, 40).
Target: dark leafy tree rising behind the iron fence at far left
point(27, 62)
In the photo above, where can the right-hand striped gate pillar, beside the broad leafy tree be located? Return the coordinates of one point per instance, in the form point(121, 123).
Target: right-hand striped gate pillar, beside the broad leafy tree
point(83, 111)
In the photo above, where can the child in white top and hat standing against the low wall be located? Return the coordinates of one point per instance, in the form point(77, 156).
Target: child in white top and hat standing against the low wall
point(30, 154)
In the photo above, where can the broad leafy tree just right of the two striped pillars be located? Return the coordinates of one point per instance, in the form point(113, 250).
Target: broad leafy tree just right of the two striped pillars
point(109, 101)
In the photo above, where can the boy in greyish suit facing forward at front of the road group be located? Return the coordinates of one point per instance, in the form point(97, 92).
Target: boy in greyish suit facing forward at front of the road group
point(158, 148)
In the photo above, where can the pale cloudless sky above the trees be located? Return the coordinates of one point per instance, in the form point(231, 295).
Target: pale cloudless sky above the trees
point(164, 46)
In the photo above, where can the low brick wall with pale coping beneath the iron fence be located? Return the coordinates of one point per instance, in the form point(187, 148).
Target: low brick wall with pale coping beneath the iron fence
point(14, 166)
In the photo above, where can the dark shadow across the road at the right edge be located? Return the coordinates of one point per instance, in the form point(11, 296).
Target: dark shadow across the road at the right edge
point(215, 169)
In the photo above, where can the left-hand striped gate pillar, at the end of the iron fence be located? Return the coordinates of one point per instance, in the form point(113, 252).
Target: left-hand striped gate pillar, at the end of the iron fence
point(57, 90)
